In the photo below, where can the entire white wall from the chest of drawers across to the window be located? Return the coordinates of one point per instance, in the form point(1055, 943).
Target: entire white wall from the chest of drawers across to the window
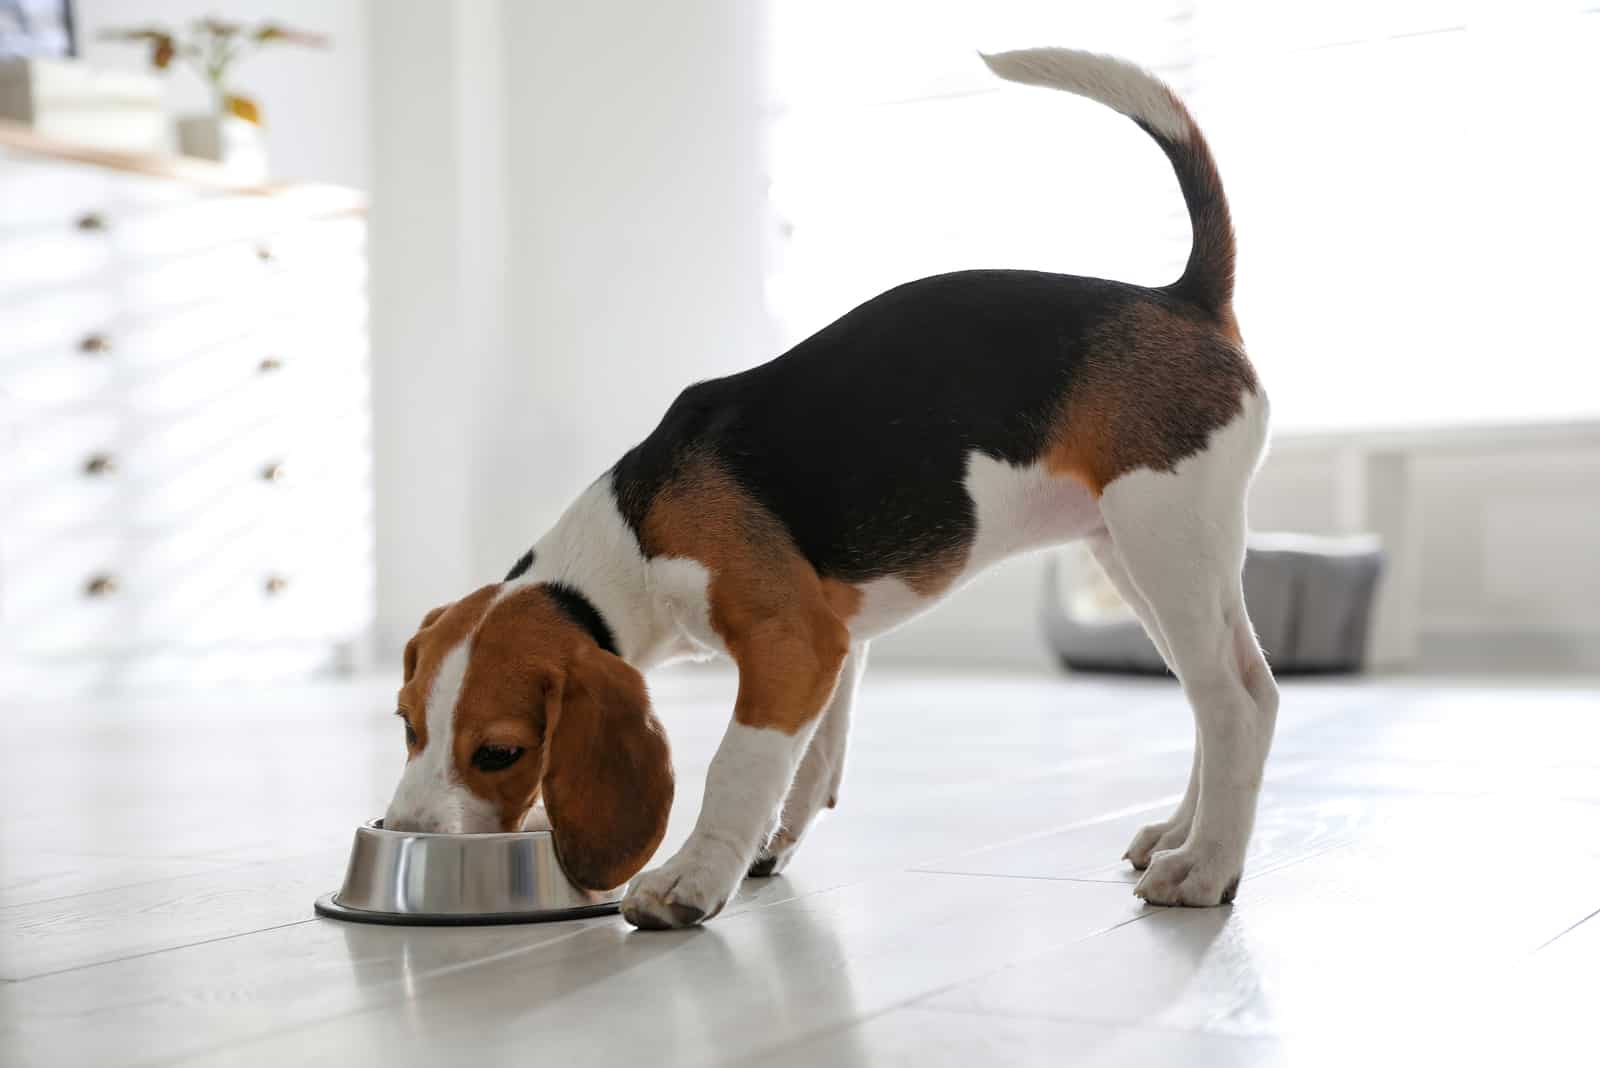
point(569, 226)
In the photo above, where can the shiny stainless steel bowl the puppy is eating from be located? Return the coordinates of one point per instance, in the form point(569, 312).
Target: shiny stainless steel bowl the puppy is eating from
point(406, 879)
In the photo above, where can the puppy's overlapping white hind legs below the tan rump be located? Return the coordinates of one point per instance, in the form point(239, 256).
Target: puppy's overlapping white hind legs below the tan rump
point(1182, 540)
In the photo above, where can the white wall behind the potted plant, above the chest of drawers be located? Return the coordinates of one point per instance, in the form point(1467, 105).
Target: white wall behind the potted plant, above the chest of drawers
point(314, 103)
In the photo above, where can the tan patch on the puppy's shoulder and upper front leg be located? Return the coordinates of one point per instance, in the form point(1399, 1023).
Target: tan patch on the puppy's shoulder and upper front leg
point(780, 621)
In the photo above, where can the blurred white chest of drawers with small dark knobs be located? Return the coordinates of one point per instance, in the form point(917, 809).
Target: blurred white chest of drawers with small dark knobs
point(186, 474)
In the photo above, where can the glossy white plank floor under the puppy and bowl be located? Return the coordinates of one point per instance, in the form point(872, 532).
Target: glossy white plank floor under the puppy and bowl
point(1425, 888)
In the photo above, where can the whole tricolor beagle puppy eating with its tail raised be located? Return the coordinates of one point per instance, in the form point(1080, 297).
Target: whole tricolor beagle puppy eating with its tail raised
point(790, 514)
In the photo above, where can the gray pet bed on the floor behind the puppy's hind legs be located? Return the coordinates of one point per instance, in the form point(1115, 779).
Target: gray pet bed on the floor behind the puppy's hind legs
point(1311, 600)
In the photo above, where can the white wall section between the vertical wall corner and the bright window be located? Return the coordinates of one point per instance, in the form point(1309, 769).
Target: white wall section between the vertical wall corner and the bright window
point(639, 236)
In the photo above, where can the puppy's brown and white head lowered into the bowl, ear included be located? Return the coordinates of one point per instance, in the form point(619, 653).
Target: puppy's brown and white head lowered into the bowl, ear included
point(510, 699)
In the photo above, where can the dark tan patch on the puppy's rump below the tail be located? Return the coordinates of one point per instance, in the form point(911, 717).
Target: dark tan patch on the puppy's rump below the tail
point(1150, 391)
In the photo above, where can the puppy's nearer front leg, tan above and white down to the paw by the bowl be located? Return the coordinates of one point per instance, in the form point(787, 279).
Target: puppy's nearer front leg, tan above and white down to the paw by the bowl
point(786, 679)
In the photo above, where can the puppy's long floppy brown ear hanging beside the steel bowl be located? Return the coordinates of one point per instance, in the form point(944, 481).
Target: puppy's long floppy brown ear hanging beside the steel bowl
point(609, 771)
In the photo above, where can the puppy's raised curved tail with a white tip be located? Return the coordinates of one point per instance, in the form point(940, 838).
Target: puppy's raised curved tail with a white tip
point(1146, 100)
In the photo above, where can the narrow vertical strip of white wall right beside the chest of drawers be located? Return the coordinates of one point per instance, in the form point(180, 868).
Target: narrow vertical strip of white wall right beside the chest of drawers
point(438, 276)
